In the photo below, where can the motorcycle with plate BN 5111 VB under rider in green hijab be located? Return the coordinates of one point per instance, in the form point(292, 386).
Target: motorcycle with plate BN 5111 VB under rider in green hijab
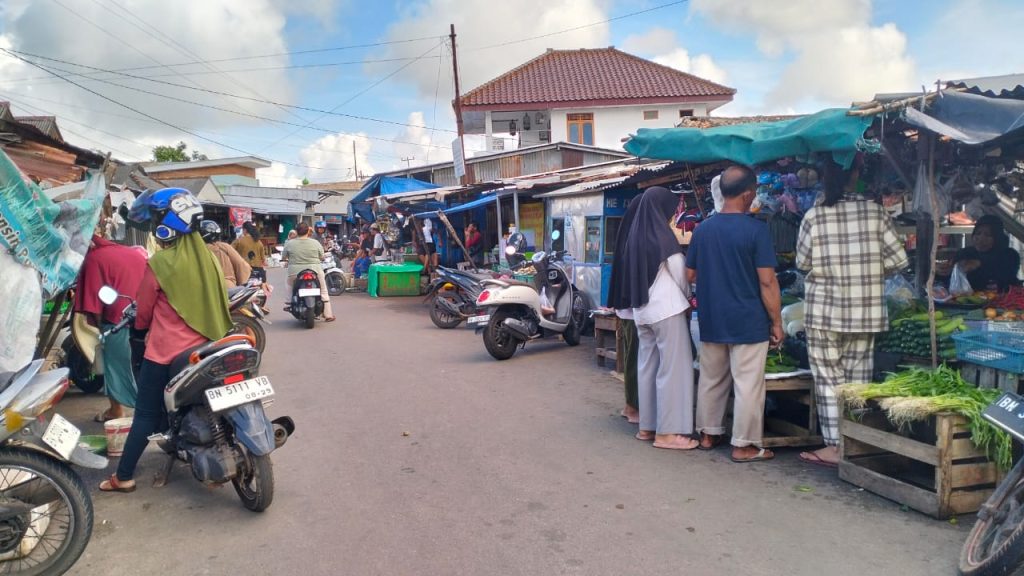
point(216, 416)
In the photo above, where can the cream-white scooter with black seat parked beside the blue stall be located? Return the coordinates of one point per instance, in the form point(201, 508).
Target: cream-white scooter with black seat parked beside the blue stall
point(518, 312)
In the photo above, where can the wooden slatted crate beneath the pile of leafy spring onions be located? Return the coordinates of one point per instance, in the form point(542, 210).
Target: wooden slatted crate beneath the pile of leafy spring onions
point(932, 467)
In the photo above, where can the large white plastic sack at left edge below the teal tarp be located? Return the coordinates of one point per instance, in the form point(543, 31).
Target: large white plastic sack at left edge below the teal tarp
point(21, 311)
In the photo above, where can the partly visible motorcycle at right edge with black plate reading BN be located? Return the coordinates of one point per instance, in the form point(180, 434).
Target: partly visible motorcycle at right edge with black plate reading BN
point(996, 545)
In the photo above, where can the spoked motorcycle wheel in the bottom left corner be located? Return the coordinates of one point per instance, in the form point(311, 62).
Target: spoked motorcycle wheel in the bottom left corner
point(51, 538)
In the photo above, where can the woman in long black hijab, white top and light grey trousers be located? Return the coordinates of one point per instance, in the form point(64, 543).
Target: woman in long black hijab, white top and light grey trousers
point(656, 289)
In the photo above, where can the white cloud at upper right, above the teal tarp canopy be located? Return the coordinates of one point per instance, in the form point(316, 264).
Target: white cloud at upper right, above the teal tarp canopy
point(838, 55)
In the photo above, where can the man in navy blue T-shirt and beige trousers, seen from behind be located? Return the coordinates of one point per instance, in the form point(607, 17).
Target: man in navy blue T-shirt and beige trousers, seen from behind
point(733, 262)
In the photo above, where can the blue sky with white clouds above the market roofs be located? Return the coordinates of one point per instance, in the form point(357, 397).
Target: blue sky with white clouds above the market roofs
point(325, 88)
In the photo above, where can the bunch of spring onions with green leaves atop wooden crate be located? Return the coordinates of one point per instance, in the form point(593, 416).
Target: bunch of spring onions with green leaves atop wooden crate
point(916, 394)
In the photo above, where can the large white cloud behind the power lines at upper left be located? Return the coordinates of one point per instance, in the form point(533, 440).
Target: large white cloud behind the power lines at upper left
point(212, 29)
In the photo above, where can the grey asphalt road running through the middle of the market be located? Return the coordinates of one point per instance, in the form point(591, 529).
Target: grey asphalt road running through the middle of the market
point(516, 468)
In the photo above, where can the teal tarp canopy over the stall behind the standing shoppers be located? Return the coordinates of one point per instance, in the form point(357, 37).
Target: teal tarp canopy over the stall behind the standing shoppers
point(829, 131)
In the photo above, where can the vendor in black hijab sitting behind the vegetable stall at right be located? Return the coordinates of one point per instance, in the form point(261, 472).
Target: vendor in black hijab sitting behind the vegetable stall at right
point(991, 261)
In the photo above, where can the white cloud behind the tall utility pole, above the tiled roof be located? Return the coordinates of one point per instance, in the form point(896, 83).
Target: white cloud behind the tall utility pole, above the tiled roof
point(481, 24)
